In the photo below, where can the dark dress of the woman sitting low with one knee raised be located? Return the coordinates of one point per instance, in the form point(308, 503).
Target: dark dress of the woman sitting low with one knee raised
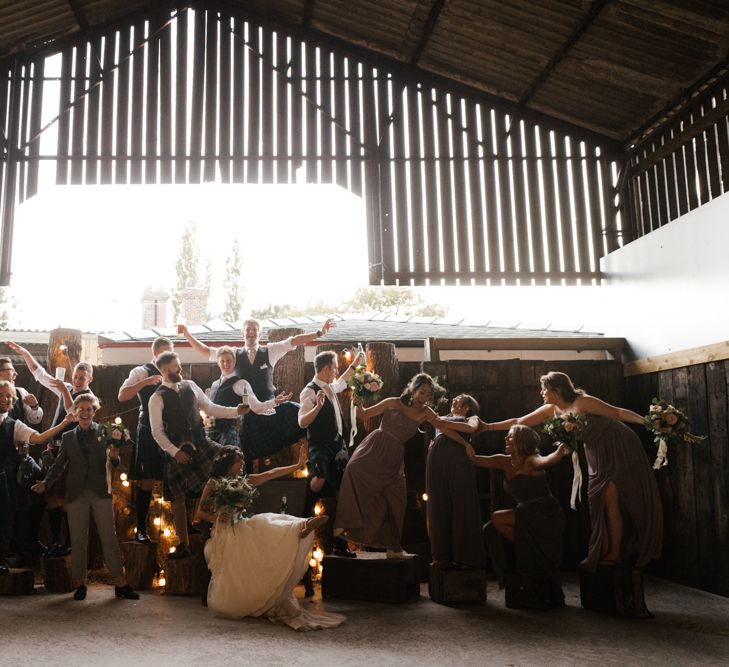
point(538, 533)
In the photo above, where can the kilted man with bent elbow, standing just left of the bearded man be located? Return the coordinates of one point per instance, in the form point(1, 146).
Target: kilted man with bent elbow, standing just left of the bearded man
point(147, 461)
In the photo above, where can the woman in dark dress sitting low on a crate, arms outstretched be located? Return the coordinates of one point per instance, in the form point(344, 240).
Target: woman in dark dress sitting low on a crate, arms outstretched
point(536, 525)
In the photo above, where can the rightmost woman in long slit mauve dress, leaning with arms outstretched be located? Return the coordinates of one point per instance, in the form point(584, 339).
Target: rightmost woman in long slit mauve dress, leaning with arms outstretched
point(625, 507)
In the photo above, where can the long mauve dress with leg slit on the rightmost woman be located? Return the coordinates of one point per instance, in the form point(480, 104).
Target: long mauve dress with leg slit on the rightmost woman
point(614, 453)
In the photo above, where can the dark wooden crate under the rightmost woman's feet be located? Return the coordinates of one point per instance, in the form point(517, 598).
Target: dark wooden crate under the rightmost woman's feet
point(616, 590)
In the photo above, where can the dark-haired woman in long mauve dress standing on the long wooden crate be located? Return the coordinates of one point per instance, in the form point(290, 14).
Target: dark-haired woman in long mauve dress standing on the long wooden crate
point(372, 498)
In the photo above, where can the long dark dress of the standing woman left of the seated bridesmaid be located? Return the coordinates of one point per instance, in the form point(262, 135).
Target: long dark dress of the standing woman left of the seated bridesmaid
point(454, 511)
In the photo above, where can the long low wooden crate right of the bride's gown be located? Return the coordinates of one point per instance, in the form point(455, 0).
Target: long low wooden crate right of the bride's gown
point(371, 577)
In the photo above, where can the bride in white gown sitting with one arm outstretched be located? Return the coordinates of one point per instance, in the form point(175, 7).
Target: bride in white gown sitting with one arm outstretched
point(256, 562)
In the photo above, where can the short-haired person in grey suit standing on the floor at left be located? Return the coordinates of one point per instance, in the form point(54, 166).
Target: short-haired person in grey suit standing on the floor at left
point(84, 455)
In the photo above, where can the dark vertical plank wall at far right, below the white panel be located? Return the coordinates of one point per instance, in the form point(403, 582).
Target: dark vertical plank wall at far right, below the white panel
point(695, 485)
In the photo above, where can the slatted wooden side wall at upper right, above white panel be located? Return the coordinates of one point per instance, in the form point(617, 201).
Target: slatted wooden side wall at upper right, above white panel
point(684, 164)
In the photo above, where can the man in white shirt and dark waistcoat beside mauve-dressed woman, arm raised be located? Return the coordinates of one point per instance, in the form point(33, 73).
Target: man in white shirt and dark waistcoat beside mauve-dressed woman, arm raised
point(321, 415)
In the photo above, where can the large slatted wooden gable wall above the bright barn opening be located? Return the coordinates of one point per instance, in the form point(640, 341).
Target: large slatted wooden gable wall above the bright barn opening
point(455, 190)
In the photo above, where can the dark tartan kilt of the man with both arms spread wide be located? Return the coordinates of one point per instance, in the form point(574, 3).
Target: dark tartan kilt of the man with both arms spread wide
point(263, 435)
